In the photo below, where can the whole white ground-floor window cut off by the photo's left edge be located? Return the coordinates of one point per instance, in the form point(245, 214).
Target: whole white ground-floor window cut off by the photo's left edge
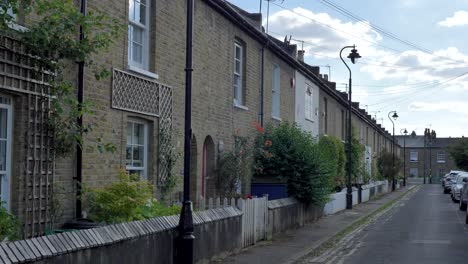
point(5, 150)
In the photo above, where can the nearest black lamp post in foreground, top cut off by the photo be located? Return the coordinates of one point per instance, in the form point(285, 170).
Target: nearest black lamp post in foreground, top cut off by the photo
point(185, 238)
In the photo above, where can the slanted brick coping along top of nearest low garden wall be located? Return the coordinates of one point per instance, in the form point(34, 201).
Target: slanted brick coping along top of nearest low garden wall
point(47, 246)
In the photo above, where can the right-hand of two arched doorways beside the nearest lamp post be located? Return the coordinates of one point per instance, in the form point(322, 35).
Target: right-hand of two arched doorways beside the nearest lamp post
point(208, 169)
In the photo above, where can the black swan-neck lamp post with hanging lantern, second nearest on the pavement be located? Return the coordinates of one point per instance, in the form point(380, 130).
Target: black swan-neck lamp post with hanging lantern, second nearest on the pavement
point(354, 55)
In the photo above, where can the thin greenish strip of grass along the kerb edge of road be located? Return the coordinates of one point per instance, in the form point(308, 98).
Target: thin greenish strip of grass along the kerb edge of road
point(330, 243)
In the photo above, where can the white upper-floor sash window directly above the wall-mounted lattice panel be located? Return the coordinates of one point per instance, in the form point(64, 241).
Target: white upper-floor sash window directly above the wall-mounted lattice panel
point(138, 34)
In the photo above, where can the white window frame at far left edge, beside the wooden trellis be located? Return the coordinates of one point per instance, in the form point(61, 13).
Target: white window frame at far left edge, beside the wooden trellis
point(6, 183)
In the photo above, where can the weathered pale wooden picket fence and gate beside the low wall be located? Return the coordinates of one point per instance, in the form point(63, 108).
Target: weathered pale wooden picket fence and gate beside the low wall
point(254, 218)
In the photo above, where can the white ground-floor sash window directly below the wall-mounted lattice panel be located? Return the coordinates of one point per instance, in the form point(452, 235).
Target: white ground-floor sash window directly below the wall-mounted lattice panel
point(137, 148)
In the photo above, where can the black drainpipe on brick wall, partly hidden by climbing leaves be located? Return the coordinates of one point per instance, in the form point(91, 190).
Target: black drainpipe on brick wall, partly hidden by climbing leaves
point(79, 150)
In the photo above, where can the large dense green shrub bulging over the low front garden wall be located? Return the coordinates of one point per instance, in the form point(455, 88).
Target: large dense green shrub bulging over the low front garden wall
point(289, 153)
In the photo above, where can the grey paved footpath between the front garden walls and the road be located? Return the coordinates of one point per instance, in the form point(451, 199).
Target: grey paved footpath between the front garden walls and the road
point(295, 245)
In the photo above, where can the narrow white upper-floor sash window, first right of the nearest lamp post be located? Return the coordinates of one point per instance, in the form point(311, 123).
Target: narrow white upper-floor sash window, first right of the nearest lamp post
point(238, 74)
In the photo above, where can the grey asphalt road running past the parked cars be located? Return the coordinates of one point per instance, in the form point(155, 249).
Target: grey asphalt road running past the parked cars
point(424, 227)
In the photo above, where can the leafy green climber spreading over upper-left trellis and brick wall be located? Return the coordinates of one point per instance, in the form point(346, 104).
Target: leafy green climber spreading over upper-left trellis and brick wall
point(53, 38)
